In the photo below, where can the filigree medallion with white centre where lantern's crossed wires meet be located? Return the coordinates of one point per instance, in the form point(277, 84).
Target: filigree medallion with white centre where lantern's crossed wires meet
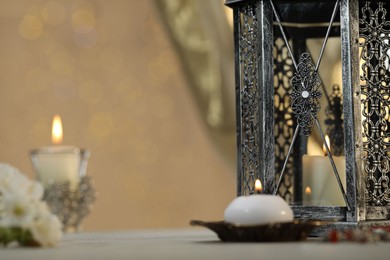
point(305, 94)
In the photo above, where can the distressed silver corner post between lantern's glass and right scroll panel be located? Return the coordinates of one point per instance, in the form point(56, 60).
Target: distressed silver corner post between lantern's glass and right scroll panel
point(349, 23)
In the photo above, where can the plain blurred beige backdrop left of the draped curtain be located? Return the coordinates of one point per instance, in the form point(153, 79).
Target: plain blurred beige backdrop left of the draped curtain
point(111, 72)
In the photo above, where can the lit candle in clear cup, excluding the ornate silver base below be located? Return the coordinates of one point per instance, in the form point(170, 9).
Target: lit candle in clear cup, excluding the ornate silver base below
point(57, 163)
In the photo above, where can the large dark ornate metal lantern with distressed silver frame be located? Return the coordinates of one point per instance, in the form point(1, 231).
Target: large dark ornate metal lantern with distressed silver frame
point(278, 95)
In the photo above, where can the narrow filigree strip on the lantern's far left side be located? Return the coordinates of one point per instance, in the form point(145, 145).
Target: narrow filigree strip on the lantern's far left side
point(249, 99)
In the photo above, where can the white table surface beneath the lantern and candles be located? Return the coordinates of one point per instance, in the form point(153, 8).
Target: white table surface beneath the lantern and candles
point(189, 244)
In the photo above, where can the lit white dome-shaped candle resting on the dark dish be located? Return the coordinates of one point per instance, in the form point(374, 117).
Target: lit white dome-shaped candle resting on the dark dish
point(258, 209)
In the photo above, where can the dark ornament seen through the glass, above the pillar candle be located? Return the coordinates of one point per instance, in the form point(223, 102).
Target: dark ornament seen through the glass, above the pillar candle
point(335, 121)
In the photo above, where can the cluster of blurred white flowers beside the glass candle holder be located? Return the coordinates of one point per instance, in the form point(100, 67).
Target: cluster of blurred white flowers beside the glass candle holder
point(21, 206)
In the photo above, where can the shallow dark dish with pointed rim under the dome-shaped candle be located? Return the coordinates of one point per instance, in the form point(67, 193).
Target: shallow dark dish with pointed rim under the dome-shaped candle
point(296, 230)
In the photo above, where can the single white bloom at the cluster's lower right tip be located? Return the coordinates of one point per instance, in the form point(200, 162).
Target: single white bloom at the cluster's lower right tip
point(46, 229)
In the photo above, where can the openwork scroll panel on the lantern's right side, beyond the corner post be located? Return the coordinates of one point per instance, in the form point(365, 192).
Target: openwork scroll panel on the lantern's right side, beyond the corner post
point(375, 92)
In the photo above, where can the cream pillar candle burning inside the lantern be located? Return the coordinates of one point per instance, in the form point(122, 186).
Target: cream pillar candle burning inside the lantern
point(319, 177)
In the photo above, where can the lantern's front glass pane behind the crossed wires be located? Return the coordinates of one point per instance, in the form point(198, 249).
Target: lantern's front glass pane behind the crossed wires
point(309, 178)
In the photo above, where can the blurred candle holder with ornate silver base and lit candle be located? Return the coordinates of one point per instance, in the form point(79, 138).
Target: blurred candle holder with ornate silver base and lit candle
point(62, 171)
